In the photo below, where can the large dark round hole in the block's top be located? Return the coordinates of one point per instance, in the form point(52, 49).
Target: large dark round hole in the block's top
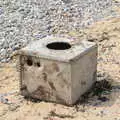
point(59, 45)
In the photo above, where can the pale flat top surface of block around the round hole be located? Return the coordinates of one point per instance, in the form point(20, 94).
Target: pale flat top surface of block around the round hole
point(39, 49)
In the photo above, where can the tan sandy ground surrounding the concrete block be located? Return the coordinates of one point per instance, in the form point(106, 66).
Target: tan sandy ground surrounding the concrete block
point(105, 106)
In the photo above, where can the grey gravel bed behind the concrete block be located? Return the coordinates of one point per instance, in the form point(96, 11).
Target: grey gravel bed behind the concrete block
point(22, 21)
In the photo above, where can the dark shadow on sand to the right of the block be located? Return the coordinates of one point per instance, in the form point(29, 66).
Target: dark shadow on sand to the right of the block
point(104, 92)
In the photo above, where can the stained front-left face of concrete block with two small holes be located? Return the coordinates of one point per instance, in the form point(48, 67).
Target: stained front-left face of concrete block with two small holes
point(46, 80)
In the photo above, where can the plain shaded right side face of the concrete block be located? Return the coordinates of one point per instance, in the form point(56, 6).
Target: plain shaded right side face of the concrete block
point(83, 74)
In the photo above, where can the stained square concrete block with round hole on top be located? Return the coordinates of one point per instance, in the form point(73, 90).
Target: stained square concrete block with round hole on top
point(54, 69)
